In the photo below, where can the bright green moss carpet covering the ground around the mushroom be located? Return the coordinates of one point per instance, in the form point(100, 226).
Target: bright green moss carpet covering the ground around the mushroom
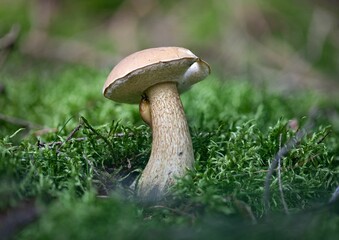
point(77, 171)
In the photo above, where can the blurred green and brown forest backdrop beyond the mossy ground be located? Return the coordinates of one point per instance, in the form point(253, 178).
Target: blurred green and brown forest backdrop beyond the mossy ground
point(288, 45)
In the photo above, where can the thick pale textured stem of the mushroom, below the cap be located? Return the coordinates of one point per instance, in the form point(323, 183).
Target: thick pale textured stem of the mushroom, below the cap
point(172, 151)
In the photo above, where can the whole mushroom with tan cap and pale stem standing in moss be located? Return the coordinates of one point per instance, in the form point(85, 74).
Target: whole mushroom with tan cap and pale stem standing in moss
point(154, 77)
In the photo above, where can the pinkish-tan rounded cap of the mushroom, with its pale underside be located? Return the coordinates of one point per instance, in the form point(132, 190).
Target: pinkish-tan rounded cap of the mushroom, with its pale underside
point(133, 75)
